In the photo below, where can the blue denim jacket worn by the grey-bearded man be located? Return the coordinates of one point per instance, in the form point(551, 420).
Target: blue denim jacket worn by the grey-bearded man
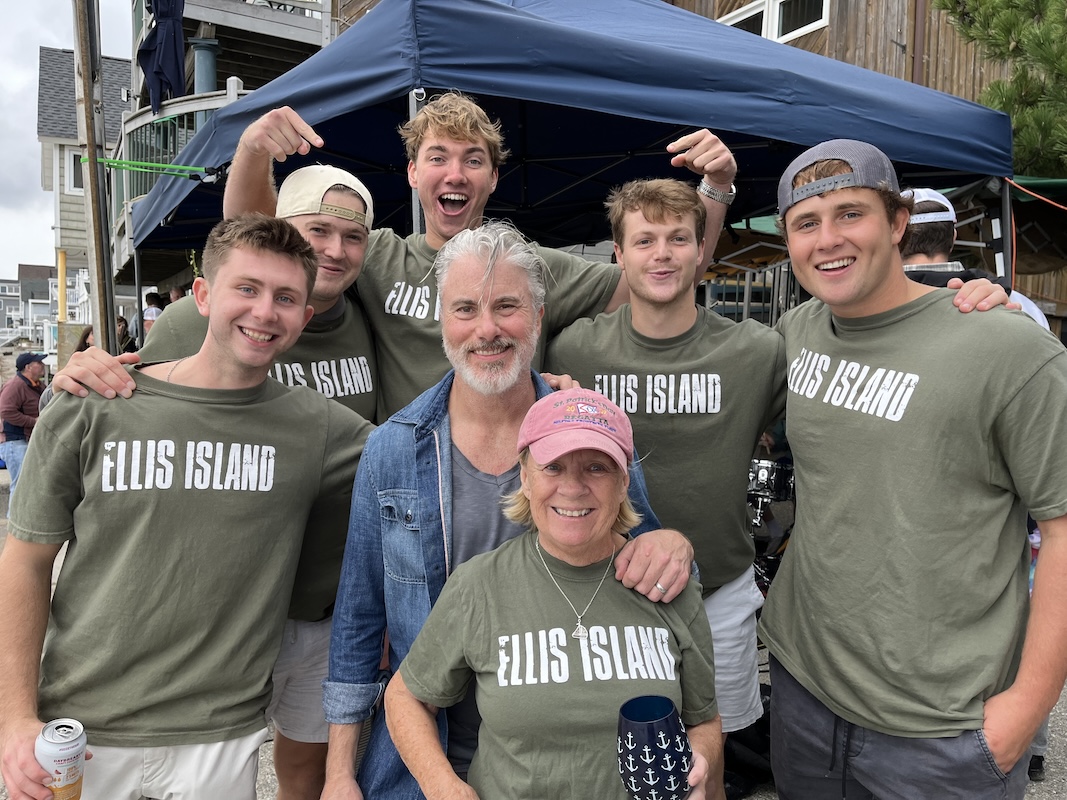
point(397, 558)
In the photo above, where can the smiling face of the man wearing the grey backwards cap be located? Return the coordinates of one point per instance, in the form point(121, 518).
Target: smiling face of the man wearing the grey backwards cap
point(845, 251)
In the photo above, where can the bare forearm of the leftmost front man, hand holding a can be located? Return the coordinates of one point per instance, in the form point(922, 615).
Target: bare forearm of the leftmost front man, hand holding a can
point(26, 574)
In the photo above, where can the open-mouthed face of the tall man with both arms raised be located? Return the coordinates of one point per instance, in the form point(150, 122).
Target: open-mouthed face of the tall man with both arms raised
point(454, 181)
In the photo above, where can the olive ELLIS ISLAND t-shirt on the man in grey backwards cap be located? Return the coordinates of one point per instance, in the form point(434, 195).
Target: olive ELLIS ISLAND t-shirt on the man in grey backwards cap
point(921, 438)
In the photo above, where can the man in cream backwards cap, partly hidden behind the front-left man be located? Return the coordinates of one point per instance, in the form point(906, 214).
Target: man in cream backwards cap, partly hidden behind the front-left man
point(336, 356)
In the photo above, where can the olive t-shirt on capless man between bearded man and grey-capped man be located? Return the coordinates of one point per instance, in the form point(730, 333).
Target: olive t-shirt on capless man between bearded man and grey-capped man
point(698, 404)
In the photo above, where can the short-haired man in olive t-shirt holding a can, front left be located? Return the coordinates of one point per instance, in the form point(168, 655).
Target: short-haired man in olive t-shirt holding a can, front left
point(184, 509)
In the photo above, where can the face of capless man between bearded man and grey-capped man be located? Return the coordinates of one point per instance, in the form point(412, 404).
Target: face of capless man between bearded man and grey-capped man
point(660, 259)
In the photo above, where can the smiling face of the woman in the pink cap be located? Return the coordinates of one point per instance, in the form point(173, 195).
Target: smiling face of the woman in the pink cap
point(575, 502)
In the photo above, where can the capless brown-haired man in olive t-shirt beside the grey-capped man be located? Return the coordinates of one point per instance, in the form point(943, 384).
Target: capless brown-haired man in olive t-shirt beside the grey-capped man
point(699, 391)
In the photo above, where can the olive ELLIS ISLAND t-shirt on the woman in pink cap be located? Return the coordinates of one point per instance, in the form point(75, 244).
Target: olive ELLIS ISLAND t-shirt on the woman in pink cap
point(550, 703)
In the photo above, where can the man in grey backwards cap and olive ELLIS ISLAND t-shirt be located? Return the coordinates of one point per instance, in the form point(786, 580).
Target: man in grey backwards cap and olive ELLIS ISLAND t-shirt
point(905, 658)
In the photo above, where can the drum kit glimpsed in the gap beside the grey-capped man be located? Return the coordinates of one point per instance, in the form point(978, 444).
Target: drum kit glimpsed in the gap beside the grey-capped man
point(770, 485)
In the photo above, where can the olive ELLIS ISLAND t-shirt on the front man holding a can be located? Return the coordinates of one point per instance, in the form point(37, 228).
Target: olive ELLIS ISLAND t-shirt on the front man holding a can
point(185, 510)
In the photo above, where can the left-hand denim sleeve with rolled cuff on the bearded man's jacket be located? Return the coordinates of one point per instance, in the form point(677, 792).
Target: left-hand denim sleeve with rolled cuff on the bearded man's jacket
point(353, 687)
